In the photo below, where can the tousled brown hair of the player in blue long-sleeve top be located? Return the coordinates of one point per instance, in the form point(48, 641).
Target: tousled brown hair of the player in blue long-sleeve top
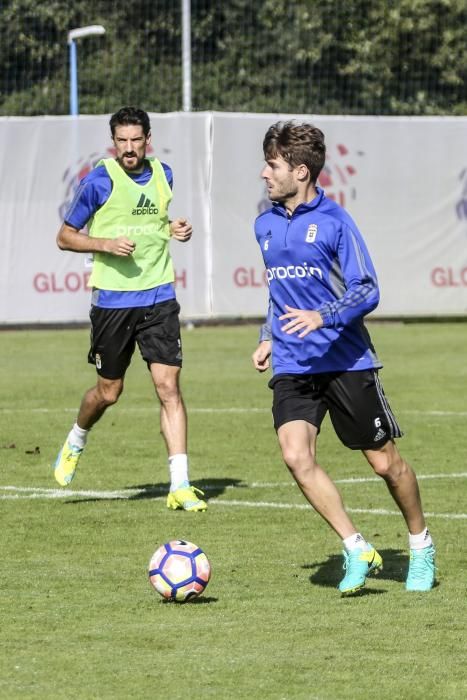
point(297, 144)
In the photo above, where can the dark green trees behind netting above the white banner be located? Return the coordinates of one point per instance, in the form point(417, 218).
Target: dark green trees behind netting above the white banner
point(397, 57)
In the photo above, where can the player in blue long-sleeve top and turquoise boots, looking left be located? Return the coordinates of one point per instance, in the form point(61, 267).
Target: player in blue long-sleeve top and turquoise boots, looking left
point(321, 285)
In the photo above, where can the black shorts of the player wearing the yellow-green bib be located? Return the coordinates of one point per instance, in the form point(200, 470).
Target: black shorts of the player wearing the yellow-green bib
point(115, 332)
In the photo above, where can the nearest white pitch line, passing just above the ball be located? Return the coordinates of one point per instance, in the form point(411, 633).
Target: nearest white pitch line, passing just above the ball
point(19, 492)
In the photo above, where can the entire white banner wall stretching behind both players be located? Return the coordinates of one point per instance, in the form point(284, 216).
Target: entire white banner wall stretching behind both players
point(403, 180)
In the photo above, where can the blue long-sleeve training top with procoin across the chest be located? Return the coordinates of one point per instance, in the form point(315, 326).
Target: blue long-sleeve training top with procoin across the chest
point(317, 259)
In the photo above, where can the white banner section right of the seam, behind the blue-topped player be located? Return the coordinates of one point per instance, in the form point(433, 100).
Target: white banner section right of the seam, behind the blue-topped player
point(404, 182)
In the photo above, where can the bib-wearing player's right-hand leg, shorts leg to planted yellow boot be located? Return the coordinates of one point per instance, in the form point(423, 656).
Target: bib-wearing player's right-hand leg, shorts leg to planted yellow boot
point(158, 337)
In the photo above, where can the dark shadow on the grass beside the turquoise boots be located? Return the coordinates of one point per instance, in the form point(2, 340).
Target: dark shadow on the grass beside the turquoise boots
point(328, 573)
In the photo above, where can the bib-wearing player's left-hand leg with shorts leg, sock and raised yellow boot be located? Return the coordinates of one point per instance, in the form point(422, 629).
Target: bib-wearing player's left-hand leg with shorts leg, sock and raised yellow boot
point(111, 349)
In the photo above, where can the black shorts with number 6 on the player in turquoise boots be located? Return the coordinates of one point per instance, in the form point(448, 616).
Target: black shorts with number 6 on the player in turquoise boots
point(358, 408)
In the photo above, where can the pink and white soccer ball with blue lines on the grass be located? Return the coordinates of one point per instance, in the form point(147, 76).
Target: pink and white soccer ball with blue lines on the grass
point(179, 570)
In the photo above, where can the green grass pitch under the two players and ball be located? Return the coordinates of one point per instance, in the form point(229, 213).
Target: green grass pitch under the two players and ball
point(79, 619)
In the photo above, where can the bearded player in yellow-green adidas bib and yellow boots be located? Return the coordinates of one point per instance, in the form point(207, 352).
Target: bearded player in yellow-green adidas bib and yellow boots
point(124, 202)
